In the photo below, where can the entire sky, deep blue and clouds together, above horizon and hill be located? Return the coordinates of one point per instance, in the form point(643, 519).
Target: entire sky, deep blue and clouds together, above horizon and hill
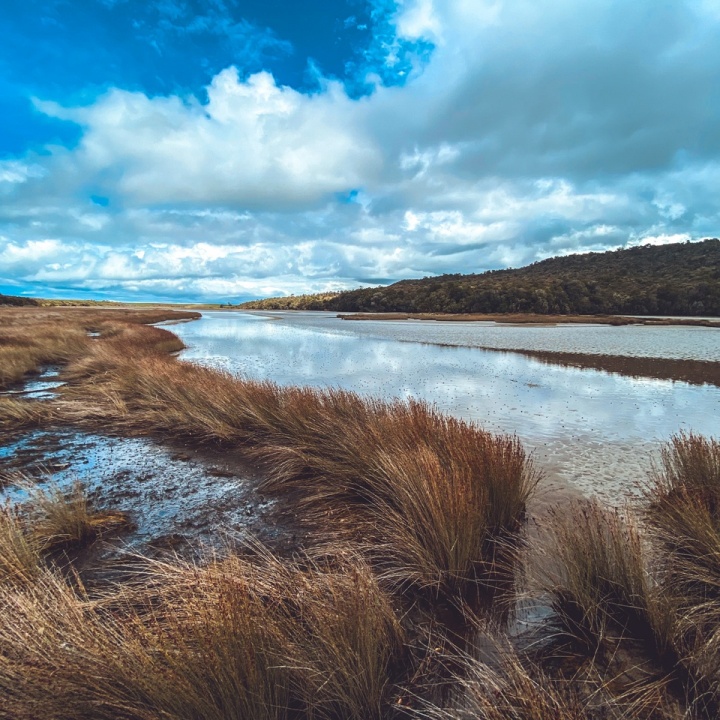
point(224, 150)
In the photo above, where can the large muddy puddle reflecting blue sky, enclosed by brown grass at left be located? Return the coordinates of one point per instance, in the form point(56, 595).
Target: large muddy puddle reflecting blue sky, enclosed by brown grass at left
point(171, 496)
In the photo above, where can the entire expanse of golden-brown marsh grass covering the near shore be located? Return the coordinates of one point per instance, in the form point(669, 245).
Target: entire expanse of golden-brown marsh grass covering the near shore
point(409, 518)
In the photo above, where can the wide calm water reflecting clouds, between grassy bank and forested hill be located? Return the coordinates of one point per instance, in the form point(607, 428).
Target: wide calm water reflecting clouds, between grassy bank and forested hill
point(595, 430)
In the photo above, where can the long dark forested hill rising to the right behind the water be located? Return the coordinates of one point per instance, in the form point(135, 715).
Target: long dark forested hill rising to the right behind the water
point(677, 279)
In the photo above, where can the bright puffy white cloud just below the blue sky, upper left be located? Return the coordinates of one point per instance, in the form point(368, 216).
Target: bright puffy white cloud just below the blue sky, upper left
point(253, 144)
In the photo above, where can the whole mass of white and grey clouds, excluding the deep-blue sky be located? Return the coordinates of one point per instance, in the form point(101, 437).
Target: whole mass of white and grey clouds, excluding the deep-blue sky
point(533, 129)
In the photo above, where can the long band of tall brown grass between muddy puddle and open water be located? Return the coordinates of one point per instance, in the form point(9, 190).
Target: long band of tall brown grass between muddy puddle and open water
point(433, 496)
